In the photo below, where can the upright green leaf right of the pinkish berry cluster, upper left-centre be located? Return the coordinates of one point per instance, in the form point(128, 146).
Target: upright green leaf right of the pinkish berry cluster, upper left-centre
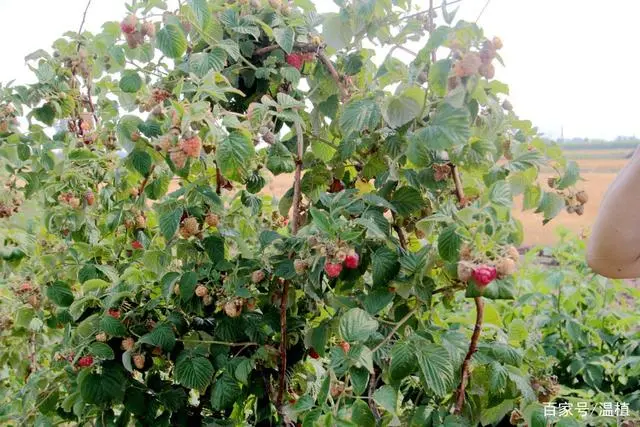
point(234, 155)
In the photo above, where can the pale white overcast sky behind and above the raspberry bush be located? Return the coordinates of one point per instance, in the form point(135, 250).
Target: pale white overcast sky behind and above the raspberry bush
point(569, 63)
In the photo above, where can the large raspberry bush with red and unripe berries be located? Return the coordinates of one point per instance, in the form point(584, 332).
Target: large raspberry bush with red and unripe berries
point(149, 276)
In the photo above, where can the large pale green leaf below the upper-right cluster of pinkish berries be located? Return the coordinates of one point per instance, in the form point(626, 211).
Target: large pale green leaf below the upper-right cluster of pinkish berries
point(449, 128)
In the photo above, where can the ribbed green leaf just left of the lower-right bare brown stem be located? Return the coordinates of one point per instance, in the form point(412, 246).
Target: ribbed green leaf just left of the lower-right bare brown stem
point(435, 364)
